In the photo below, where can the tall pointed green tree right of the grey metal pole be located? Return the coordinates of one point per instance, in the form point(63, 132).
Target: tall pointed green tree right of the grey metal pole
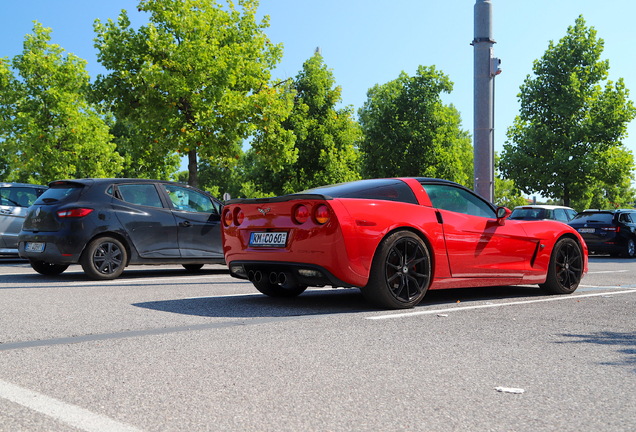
point(563, 141)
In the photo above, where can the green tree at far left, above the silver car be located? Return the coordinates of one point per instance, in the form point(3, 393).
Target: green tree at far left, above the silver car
point(48, 128)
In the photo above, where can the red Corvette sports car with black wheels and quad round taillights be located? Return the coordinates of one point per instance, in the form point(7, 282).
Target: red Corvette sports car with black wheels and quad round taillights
point(395, 239)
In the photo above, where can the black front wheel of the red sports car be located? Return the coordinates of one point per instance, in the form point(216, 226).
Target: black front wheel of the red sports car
point(565, 269)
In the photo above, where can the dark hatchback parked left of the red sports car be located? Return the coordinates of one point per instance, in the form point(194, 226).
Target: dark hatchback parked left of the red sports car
point(108, 224)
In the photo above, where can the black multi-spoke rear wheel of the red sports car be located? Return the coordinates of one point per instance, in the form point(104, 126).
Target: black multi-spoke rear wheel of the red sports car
point(400, 273)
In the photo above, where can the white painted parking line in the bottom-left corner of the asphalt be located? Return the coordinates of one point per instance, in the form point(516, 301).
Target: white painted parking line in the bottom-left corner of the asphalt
point(72, 415)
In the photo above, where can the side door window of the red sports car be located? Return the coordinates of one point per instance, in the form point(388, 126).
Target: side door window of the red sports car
point(458, 200)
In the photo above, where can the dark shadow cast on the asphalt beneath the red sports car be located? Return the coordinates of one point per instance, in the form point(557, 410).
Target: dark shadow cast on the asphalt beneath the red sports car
point(324, 302)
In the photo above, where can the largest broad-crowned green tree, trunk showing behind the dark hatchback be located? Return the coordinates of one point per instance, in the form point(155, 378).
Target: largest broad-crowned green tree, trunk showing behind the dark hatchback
point(196, 80)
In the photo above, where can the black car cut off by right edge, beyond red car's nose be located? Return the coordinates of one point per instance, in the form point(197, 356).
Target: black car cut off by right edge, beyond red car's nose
point(608, 231)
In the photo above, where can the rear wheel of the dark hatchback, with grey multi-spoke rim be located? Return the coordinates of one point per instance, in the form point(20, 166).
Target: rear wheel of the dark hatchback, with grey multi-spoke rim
point(104, 258)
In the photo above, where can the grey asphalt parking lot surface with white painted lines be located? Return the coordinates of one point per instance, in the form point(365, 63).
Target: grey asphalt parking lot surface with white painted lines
point(160, 349)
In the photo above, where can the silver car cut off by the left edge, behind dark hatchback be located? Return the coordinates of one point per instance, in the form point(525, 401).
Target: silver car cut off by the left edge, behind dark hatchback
point(15, 199)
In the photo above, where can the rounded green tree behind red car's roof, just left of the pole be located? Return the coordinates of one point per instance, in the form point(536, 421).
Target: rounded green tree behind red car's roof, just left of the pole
point(408, 131)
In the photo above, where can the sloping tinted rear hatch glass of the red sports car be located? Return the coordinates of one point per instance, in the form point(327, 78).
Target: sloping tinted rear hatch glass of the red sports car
point(388, 190)
